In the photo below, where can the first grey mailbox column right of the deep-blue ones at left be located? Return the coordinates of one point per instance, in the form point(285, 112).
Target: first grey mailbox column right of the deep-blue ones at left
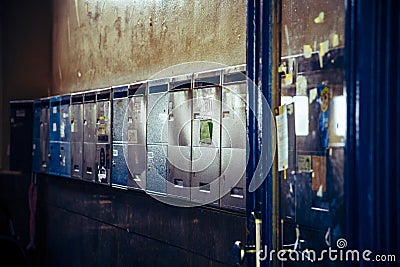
point(76, 126)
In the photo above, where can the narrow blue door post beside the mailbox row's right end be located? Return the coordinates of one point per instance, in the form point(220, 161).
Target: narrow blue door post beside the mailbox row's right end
point(259, 70)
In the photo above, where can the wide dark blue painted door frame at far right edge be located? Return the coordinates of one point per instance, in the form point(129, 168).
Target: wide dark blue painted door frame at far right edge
point(372, 158)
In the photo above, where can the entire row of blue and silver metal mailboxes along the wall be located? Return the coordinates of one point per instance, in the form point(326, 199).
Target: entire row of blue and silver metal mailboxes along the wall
point(183, 137)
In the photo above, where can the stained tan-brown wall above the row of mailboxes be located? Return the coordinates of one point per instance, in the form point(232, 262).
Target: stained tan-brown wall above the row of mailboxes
point(103, 43)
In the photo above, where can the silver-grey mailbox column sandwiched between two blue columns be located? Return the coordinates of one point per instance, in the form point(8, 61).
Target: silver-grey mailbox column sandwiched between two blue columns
point(135, 125)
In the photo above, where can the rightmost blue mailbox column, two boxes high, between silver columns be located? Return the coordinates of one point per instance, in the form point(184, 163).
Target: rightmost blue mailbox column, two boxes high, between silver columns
point(157, 136)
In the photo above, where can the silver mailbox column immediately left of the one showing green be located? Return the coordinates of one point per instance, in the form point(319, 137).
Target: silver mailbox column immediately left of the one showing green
point(179, 137)
